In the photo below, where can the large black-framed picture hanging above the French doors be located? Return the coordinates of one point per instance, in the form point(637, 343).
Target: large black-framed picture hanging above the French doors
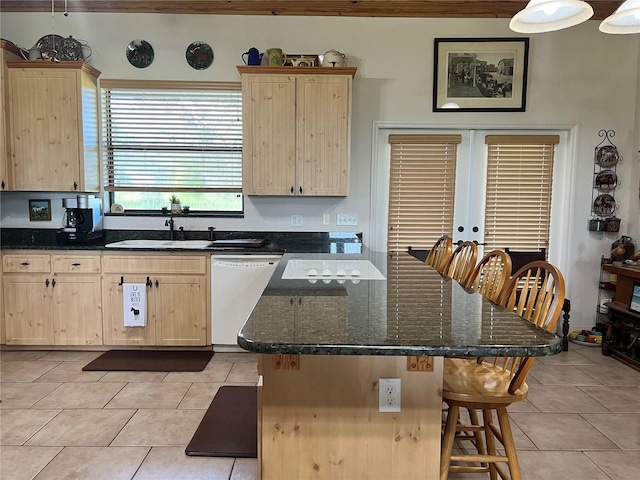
point(480, 74)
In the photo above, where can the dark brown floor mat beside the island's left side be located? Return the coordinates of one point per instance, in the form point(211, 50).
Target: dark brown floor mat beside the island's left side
point(229, 428)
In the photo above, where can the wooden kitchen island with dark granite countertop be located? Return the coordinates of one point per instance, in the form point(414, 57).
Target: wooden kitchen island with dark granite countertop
point(325, 344)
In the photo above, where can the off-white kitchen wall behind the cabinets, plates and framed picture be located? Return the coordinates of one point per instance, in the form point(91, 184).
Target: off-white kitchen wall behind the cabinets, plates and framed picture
point(577, 77)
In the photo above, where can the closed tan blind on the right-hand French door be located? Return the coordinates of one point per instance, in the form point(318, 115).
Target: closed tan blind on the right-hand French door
point(518, 196)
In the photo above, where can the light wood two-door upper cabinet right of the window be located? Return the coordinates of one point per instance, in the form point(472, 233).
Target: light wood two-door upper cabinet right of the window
point(296, 130)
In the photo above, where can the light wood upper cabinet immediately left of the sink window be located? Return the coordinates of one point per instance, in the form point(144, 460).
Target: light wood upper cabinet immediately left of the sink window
point(53, 126)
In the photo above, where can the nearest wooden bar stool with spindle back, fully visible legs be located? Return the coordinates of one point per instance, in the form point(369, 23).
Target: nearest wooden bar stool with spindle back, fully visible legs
point(536, 292)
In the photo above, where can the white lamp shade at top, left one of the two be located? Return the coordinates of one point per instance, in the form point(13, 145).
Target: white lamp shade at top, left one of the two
point(549, 15)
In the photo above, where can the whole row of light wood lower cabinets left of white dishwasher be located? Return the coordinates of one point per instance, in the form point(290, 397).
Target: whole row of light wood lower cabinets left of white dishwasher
point(70, 298)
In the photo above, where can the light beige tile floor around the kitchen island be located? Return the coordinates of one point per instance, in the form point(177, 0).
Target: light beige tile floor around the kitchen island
point(580, 422)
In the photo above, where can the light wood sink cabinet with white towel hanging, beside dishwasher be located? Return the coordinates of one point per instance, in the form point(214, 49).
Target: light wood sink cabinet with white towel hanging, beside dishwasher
point(177, 299)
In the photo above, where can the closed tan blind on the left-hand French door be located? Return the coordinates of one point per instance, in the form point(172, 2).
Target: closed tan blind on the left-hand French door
point(421, 190)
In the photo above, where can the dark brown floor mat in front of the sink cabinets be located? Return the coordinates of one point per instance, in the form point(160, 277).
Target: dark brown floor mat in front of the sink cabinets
point(150, 361)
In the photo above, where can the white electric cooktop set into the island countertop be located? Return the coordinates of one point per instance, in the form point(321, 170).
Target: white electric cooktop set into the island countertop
point(297, 269)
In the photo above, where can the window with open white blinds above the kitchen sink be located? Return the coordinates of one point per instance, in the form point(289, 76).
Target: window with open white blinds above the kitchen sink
point(162, 138)
